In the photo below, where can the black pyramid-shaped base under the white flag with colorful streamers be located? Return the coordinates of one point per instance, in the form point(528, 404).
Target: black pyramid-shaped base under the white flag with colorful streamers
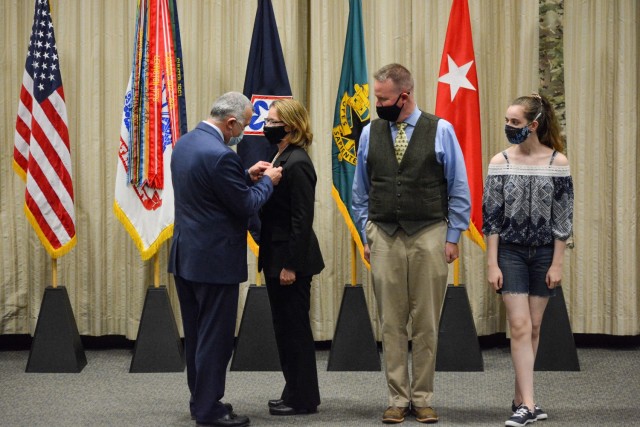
point(158, 346)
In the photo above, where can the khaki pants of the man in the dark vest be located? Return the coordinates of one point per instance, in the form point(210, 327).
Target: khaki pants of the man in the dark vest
point(409, 276)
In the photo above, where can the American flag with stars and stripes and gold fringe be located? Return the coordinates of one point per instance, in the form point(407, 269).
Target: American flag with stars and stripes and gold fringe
point(41, 152)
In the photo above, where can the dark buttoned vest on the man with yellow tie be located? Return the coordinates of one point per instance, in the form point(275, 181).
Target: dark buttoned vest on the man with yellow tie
point(410, 195)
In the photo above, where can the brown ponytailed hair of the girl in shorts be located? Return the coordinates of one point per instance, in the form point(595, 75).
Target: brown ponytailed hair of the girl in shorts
point(538, 108)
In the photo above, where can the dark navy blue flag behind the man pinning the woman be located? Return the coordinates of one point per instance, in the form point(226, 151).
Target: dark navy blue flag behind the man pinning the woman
point(266, 80)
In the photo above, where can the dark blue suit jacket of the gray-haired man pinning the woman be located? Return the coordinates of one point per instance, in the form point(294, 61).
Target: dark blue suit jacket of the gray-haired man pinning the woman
point(214, 198)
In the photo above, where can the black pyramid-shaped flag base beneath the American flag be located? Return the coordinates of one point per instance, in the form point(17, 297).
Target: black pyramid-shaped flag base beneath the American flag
point(56, 345)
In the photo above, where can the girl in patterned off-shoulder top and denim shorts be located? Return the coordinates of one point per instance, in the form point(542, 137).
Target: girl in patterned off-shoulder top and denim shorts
point(527, 216)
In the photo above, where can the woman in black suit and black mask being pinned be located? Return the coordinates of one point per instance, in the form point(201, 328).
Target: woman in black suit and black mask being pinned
point(290, 256)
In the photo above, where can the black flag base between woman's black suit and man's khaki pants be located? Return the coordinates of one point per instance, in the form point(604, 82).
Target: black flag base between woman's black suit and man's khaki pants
point(354, 347)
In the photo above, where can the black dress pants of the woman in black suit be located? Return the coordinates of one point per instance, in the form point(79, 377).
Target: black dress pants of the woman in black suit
point(290, 311)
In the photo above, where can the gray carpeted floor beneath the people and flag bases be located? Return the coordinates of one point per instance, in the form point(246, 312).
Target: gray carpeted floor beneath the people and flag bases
point(604, 393)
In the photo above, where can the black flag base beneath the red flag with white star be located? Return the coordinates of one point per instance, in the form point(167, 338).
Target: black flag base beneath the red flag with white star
point(458, 346)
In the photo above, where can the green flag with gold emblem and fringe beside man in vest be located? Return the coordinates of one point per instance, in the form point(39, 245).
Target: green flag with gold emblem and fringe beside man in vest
point(350, 116)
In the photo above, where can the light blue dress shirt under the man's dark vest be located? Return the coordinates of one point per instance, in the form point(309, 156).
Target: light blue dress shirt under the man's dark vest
point(448, 154)
